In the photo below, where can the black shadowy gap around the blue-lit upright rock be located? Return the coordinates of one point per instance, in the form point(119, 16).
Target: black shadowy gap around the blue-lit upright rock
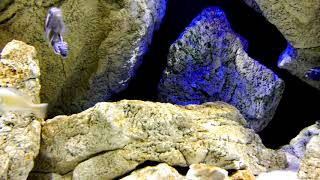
point(299, 106)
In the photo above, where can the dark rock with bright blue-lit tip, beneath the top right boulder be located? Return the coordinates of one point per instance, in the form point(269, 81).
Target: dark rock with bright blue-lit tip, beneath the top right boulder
point(299, 61)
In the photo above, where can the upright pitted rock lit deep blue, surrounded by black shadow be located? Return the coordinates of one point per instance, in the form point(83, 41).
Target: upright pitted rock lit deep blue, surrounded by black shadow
point(208, 63)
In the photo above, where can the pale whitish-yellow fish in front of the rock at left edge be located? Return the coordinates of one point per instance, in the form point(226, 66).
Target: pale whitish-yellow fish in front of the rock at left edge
point(13, 100)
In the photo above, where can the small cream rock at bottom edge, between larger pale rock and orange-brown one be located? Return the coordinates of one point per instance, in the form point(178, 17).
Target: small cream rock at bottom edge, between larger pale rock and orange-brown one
point(206, 172)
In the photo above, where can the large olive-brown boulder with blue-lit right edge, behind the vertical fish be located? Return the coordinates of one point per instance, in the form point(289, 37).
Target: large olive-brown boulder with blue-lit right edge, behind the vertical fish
point(106, 42)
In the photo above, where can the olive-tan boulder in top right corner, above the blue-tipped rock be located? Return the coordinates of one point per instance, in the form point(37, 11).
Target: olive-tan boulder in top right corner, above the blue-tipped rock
point(297, 20)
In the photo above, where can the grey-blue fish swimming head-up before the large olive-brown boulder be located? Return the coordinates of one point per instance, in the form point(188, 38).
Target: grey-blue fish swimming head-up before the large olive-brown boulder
point(54, 27)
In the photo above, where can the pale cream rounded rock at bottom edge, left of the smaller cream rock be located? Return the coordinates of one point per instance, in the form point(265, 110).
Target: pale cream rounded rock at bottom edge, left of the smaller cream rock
point(160, 172)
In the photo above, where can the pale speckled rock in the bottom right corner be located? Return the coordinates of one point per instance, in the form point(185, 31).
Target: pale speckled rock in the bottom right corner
point(310, 165)
